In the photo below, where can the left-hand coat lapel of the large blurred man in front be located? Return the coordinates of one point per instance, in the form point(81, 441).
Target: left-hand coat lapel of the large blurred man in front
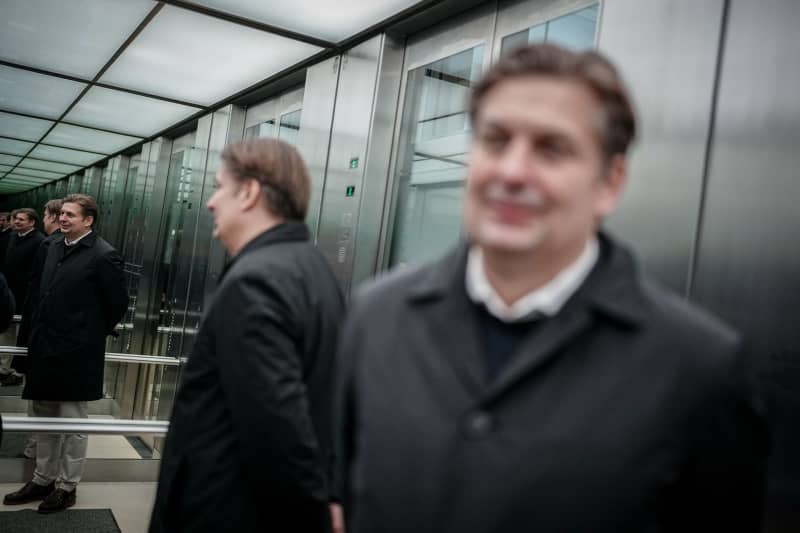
point(446, 315)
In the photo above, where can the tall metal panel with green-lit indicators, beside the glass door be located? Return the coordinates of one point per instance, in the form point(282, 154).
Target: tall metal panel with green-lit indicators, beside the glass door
point(349, 136)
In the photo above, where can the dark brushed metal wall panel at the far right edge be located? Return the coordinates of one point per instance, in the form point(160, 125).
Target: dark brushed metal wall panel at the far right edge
point(748, 263)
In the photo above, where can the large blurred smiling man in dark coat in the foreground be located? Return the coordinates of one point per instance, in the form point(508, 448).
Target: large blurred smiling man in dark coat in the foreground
point(532, 380)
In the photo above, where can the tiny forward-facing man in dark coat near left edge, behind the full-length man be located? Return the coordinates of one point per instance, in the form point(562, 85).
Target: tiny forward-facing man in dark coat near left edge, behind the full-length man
point(20, 256)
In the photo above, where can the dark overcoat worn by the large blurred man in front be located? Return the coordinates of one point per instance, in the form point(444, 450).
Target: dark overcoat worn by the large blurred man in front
point(628, 411)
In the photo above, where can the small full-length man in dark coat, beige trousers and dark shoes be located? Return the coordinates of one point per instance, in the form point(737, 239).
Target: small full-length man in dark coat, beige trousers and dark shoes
point(81, 298)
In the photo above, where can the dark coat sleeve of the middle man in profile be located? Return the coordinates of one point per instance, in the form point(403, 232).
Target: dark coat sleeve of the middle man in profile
point(262, 374)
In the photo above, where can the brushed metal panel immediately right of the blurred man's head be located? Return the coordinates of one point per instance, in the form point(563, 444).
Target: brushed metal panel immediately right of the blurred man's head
point(667, 52)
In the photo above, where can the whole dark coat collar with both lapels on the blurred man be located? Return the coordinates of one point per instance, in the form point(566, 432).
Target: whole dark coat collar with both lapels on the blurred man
point(611, 292)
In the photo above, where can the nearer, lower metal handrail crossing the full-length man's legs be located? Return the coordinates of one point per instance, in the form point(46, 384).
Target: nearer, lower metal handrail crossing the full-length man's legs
point(85, 426)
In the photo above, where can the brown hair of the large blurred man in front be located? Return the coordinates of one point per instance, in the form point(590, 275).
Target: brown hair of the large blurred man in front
point(589, 68)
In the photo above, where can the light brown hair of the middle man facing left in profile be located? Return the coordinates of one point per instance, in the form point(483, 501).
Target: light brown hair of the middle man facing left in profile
point(278, 168)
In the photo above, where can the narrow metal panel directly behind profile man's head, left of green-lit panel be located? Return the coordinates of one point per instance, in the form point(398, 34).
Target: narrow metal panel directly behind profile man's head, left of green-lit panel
point(314, 137)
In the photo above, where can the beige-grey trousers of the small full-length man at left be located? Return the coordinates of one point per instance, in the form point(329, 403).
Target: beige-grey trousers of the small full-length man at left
point(60, 458)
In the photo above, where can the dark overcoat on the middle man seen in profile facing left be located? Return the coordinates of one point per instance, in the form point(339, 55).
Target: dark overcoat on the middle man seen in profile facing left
point(249, 444)
